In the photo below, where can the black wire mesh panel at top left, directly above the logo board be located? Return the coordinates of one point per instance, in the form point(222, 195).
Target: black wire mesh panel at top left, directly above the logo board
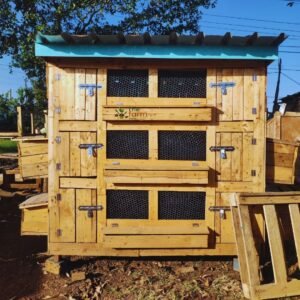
point(127, 83)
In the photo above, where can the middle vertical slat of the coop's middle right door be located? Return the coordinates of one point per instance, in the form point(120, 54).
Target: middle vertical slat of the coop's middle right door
point(237, 162)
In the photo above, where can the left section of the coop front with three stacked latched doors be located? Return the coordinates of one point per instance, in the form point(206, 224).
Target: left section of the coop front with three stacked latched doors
point(73, 170)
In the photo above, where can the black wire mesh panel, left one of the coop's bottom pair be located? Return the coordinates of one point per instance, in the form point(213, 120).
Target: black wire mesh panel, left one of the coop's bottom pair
point(126, 204)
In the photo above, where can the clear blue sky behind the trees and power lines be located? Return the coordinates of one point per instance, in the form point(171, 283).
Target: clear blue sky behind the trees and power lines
point(233, 16)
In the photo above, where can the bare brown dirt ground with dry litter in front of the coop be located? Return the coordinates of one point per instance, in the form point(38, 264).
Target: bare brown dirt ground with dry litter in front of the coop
point(22, 275)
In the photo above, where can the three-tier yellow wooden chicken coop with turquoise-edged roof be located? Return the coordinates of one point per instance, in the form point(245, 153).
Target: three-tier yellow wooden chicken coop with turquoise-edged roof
point(149, 138)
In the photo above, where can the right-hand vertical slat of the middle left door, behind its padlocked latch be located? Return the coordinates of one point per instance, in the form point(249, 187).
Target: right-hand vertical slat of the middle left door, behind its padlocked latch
point(87, 161)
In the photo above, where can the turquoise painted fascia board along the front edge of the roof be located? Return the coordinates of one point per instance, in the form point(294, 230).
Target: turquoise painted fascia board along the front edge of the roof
point(156, 51)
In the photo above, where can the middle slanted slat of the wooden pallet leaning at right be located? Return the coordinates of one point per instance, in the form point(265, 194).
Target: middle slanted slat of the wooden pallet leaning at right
point(275, 242)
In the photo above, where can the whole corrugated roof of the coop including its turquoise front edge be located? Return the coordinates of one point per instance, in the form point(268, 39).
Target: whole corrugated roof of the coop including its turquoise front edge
point(170, 46)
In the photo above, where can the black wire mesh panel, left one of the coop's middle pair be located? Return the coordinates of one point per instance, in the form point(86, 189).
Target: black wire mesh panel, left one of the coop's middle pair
point(128, 144)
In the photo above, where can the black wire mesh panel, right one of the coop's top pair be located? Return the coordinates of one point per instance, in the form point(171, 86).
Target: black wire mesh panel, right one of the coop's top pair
point(182, 84)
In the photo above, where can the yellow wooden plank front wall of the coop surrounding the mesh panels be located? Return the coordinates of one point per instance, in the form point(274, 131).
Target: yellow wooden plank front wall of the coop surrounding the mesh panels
point(77, 178)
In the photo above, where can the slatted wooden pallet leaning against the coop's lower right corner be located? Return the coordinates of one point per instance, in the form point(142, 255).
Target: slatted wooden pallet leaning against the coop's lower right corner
point(249, 257)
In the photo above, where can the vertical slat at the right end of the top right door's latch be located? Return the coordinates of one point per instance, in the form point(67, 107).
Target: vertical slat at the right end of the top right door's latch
point(238, 95)
